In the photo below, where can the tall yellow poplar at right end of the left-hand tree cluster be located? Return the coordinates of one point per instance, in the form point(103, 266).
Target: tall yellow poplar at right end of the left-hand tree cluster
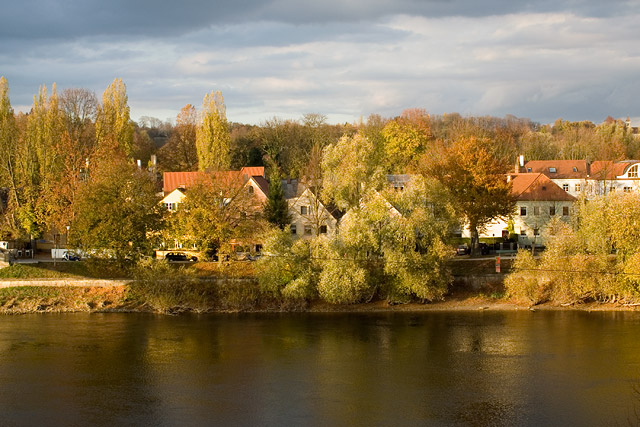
point(114, 129)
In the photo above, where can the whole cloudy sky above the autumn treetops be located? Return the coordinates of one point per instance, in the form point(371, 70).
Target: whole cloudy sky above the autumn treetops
point(345, 59)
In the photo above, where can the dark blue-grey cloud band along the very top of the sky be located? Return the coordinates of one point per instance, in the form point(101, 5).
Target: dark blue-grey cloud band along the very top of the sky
point(57, 19)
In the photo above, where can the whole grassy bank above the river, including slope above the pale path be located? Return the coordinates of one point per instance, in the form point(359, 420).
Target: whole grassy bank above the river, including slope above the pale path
point(230, 287)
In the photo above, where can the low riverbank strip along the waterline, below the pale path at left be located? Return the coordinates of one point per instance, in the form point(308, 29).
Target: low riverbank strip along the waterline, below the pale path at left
point(232, 296)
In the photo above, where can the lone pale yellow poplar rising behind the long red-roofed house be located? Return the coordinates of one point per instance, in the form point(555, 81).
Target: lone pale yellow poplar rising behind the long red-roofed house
point(213, 141)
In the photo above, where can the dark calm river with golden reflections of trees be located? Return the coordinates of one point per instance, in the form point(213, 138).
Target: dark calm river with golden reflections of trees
point(433, 368)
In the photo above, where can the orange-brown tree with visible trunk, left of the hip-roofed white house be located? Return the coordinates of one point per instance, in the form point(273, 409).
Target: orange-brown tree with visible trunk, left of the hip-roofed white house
point(475, 178)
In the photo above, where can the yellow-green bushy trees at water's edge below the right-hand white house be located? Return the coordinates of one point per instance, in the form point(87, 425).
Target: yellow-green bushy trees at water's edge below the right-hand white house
point(595, 258)
